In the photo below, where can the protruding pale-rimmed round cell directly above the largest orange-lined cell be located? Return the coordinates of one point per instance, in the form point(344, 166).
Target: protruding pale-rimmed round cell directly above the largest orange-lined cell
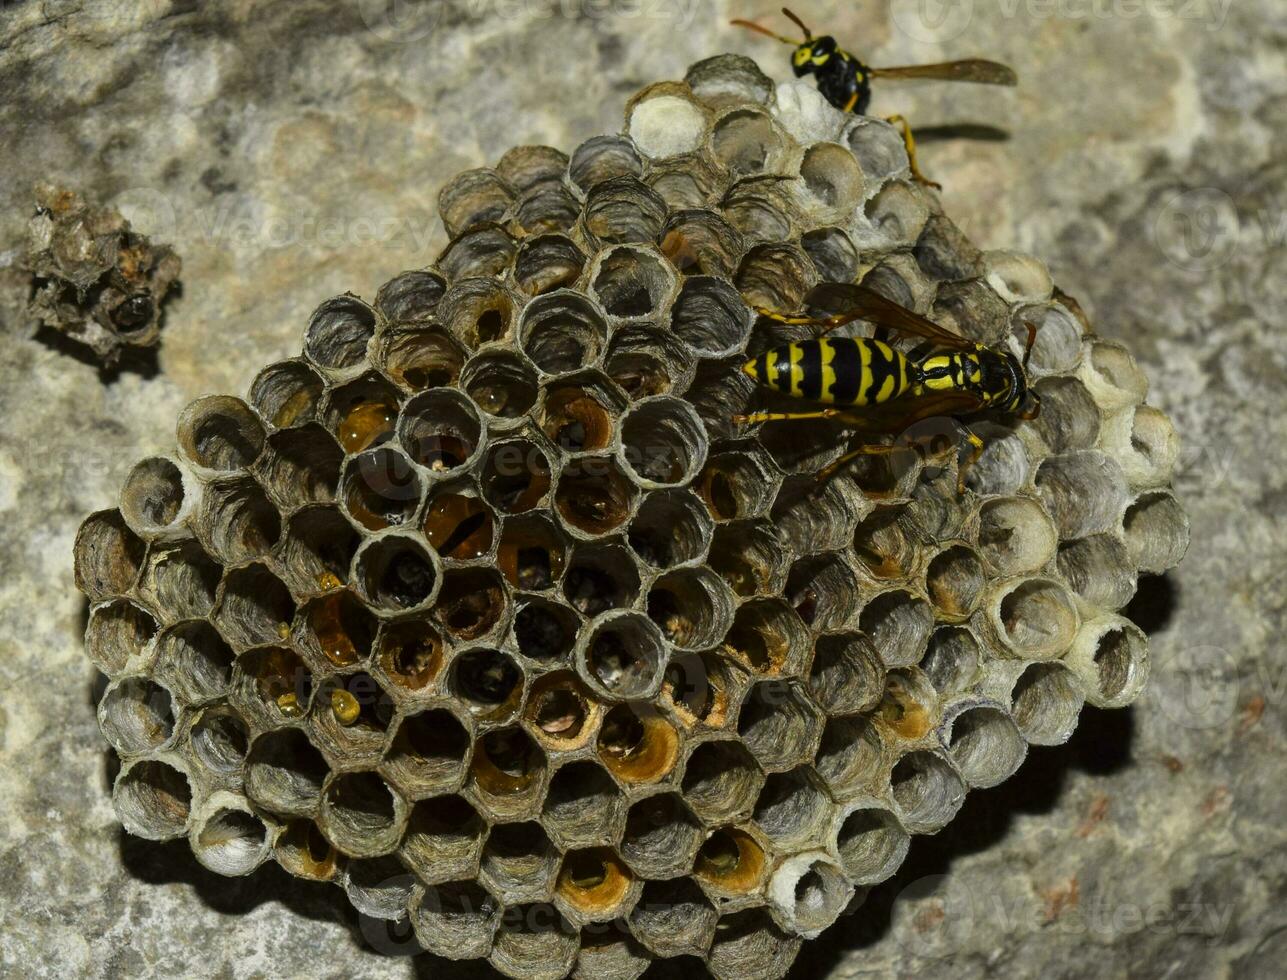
point(622, 656)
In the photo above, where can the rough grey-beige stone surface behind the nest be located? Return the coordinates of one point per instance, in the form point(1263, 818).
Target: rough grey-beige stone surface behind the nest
point(294, 151)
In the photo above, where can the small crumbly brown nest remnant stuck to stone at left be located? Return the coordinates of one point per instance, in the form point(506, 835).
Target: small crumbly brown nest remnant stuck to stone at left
point(93, 278)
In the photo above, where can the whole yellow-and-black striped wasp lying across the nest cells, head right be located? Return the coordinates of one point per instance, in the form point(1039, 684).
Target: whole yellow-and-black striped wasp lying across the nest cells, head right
point(869, 386)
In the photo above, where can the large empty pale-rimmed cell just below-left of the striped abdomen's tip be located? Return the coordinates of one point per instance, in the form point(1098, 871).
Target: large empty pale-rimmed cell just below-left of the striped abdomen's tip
point(663, 442)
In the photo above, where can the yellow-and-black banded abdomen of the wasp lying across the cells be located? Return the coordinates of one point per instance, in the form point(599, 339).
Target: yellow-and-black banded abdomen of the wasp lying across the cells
point(845, 372)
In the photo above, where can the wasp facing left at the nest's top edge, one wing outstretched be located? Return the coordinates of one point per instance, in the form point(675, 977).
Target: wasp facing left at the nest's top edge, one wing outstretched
point(846, 83)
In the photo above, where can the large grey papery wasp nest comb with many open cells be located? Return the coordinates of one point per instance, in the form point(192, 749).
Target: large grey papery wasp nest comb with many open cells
point(485, 611)
